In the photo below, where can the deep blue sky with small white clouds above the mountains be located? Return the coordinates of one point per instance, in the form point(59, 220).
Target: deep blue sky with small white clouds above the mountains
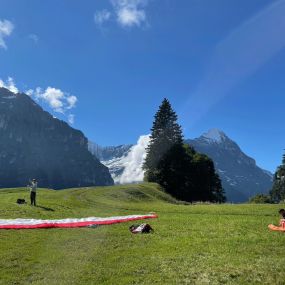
point(107, 65)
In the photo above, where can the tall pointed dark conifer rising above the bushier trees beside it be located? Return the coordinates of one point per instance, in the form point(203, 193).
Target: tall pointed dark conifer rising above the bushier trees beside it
point(165, 153)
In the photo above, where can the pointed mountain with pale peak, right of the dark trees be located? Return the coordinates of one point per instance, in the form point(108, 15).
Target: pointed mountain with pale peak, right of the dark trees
point(241, 177)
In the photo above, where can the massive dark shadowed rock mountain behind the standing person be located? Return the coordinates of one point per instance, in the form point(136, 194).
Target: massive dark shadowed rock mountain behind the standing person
point(34, 144)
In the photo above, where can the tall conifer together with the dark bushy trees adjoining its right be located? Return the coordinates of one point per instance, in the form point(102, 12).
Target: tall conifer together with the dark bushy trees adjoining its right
point(181, 171)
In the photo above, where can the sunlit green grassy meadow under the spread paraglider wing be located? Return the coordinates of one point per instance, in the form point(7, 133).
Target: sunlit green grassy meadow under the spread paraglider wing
point(192, 244)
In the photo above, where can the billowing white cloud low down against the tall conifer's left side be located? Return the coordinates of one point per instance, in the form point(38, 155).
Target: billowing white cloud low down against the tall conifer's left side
point(133, 162)
